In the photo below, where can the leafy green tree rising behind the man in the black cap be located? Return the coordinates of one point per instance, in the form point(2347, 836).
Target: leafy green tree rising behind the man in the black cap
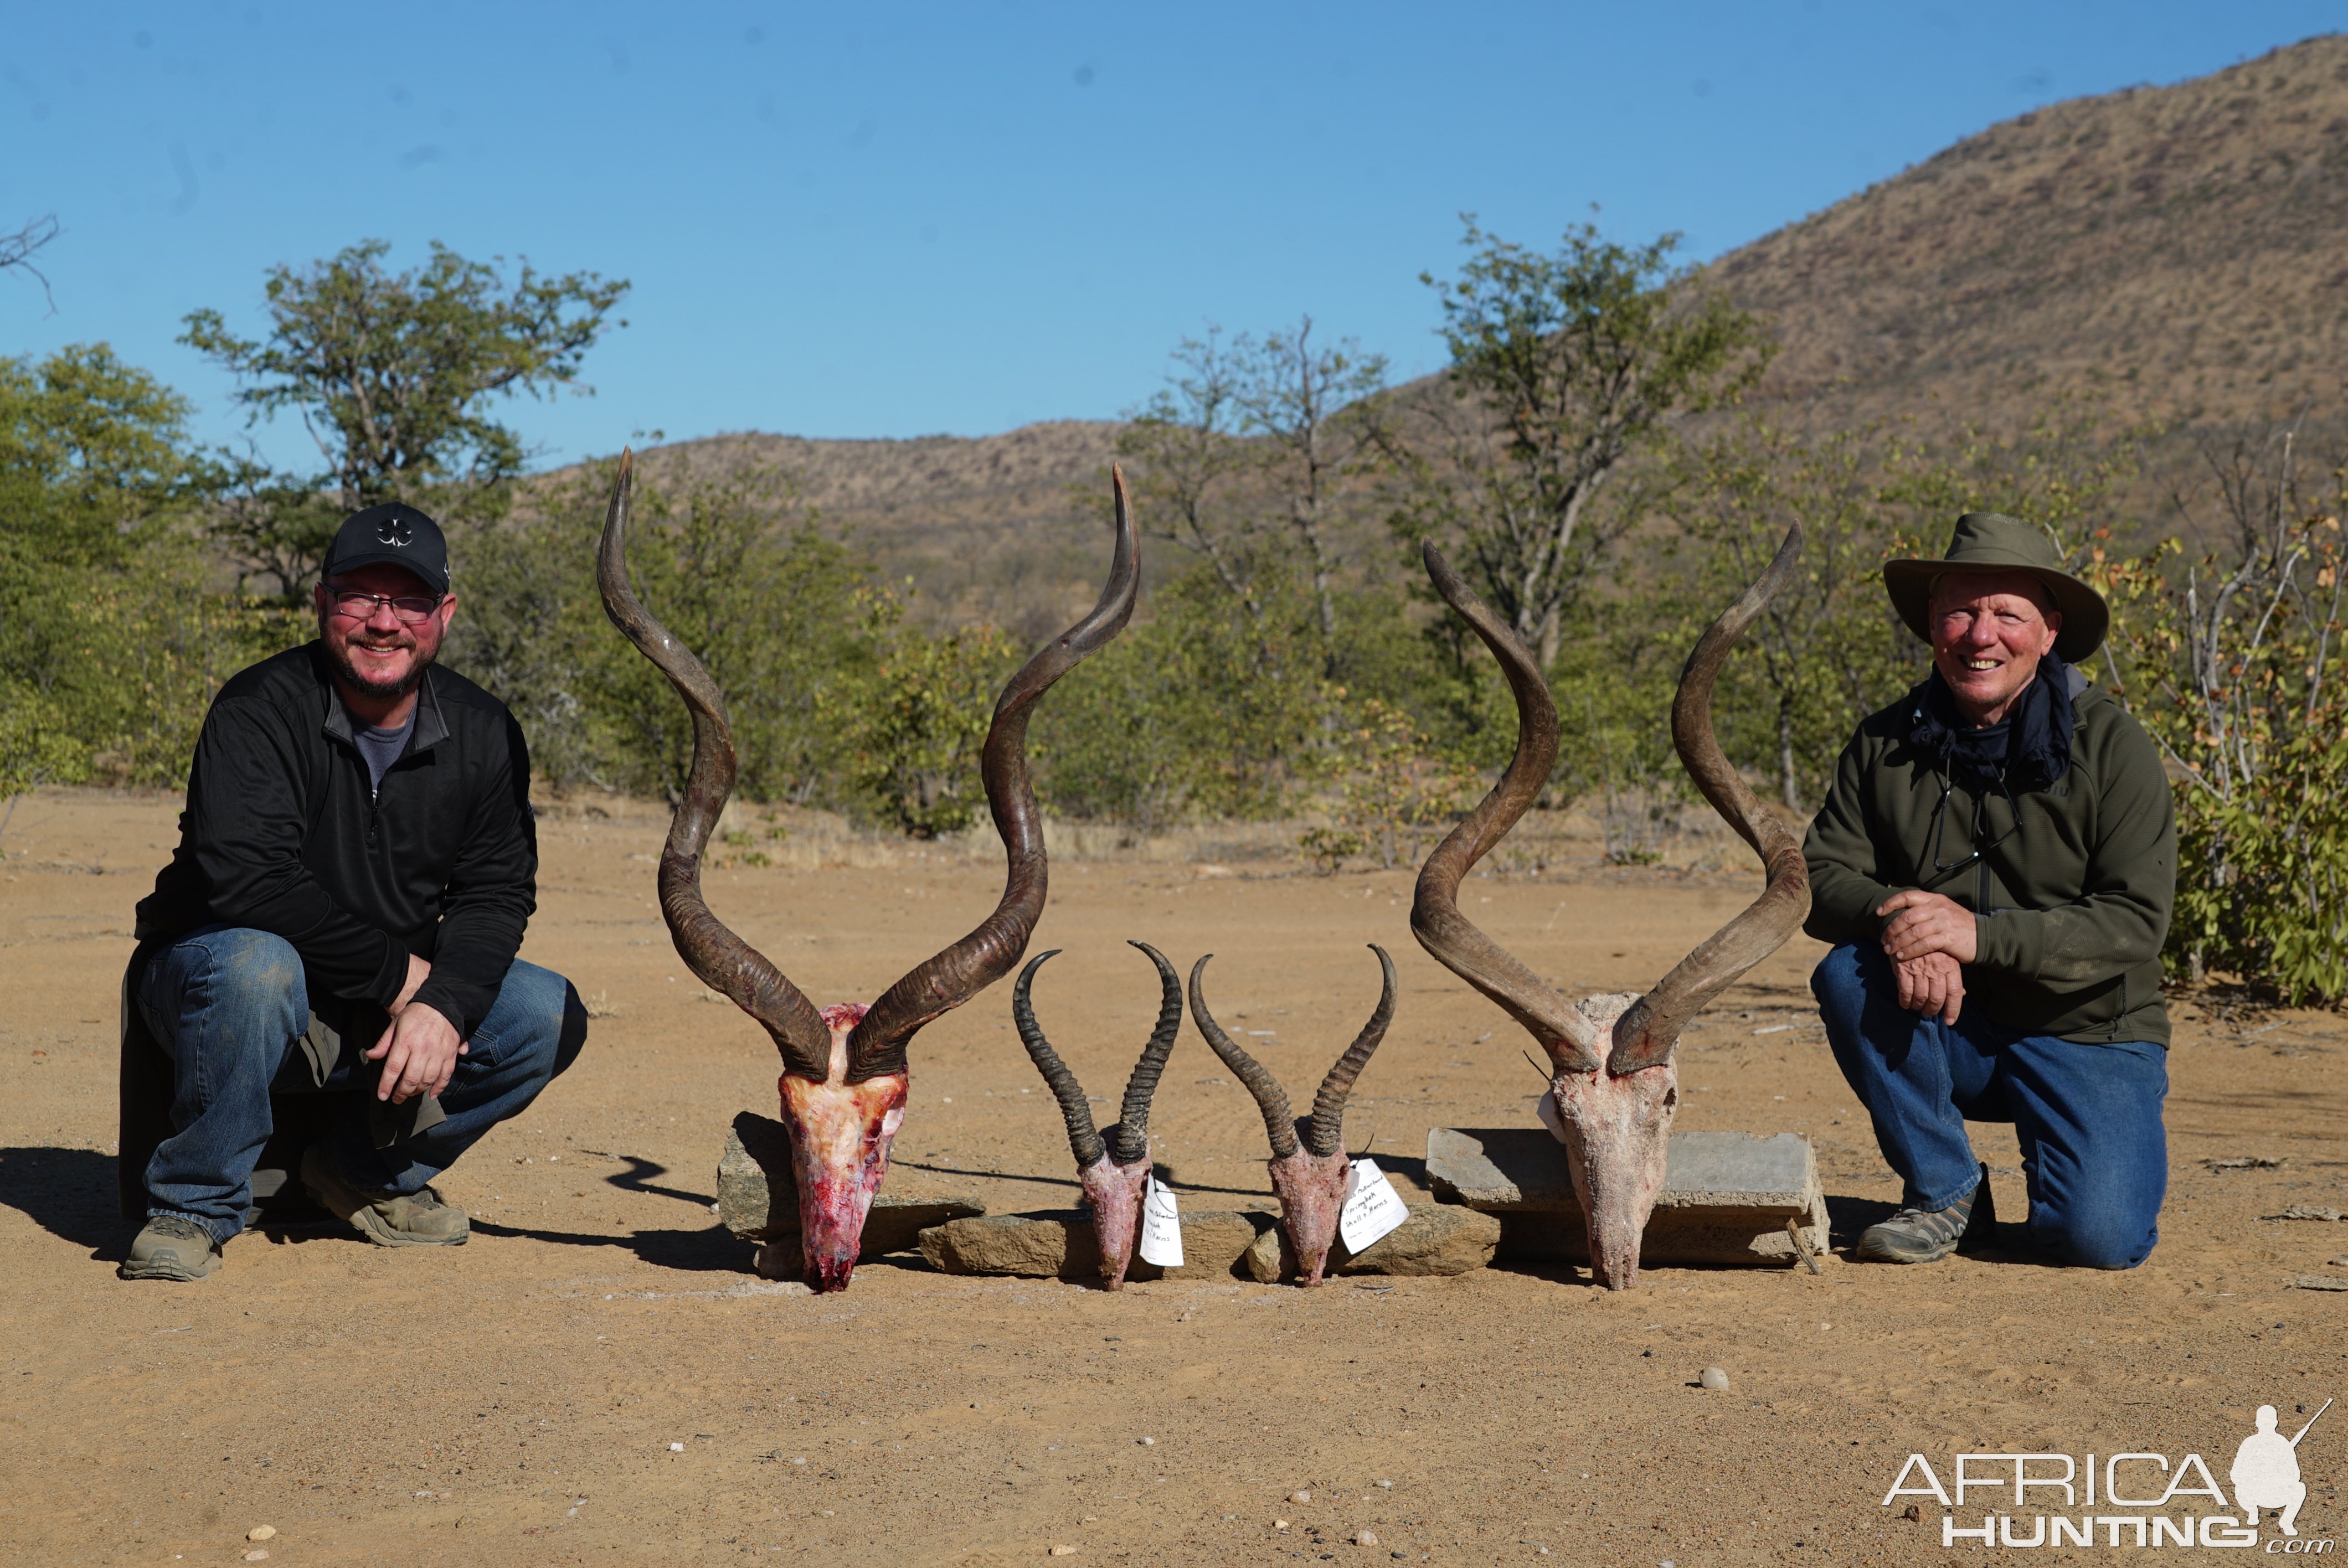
point(396, 377)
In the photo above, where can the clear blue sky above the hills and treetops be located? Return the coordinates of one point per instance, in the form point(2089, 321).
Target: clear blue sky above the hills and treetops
point(886, 219)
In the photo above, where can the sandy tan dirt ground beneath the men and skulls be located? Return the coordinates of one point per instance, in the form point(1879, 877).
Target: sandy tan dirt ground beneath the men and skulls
point(522, 1400)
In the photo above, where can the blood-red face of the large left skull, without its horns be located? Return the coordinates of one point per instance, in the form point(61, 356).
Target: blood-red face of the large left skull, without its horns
point(842, 1135)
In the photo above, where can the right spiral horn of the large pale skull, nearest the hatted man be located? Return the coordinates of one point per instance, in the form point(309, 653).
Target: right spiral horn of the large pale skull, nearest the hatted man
point(1649, 1032)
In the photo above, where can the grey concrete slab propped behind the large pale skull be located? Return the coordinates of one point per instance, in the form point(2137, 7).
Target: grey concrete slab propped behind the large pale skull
point(1727, 1196)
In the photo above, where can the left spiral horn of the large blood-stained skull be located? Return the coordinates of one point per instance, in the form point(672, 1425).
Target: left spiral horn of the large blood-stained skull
point(724, 961)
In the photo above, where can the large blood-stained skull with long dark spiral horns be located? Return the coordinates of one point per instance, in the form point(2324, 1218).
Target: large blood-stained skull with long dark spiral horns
point(844, 1074)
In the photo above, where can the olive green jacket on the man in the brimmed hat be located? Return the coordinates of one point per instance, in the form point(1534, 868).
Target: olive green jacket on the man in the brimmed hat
point(2072, 888)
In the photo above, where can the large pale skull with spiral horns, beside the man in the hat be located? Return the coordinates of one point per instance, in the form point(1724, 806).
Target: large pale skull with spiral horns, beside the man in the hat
point(1617, 1109)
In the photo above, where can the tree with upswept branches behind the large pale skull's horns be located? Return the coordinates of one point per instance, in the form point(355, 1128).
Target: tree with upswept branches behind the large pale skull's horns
point(1563, 370)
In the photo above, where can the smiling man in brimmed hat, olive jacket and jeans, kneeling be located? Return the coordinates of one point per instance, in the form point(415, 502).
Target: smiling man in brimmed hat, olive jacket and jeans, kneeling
point(1995, 867)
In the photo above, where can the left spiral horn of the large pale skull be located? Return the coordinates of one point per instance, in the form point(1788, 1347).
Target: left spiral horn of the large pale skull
point(1436, 917)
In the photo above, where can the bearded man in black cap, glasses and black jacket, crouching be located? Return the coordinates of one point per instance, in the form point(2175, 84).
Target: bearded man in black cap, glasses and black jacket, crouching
point(353, 877)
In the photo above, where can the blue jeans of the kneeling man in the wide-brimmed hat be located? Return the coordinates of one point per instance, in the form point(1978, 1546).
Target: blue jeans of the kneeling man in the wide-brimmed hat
point(2089, 1116)
